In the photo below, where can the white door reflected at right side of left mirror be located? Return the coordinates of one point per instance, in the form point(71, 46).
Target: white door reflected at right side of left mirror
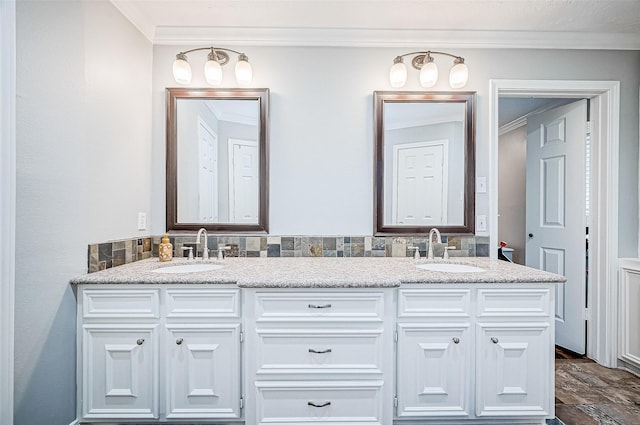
point(243, 181)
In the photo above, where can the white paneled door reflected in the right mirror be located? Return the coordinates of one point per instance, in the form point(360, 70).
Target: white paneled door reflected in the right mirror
point(420, 184)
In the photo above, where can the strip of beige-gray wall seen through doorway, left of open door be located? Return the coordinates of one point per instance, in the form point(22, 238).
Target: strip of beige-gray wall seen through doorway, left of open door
point(512, 151)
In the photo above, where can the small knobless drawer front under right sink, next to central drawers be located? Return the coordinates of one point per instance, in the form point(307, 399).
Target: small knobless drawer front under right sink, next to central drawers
point(434, 302)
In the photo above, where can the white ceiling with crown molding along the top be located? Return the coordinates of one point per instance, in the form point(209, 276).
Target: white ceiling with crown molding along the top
point(561, 24)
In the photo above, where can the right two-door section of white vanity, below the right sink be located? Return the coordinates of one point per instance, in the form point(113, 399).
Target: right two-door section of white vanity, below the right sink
point(475, 353)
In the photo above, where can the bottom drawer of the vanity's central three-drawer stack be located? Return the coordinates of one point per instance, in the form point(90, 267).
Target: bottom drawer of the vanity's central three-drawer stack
point(358, 403)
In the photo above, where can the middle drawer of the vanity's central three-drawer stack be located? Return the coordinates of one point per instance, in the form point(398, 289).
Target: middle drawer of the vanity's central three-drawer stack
point(319, 351)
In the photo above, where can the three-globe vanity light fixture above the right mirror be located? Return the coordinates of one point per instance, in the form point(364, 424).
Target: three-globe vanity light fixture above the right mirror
point(423, 61)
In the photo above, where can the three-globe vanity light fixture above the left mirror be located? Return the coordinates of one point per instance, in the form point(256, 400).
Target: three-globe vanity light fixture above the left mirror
point(216, 59)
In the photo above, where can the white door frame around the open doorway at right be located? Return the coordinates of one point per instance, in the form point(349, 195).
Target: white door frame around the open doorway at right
point(603, 229)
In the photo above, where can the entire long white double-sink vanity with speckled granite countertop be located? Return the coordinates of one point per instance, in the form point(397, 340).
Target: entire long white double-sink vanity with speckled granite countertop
point(307, 340)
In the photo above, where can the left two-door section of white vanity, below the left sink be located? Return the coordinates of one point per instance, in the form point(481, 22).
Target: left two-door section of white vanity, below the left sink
point(162, 353)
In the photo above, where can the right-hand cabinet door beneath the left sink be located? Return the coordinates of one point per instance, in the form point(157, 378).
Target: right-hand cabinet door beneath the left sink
point(203, 378)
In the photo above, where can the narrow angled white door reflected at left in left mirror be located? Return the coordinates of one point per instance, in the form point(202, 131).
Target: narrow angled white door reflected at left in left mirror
point(208, 174)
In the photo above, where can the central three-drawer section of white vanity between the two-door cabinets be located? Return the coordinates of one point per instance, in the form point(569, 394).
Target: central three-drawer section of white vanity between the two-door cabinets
point(320, 356)
